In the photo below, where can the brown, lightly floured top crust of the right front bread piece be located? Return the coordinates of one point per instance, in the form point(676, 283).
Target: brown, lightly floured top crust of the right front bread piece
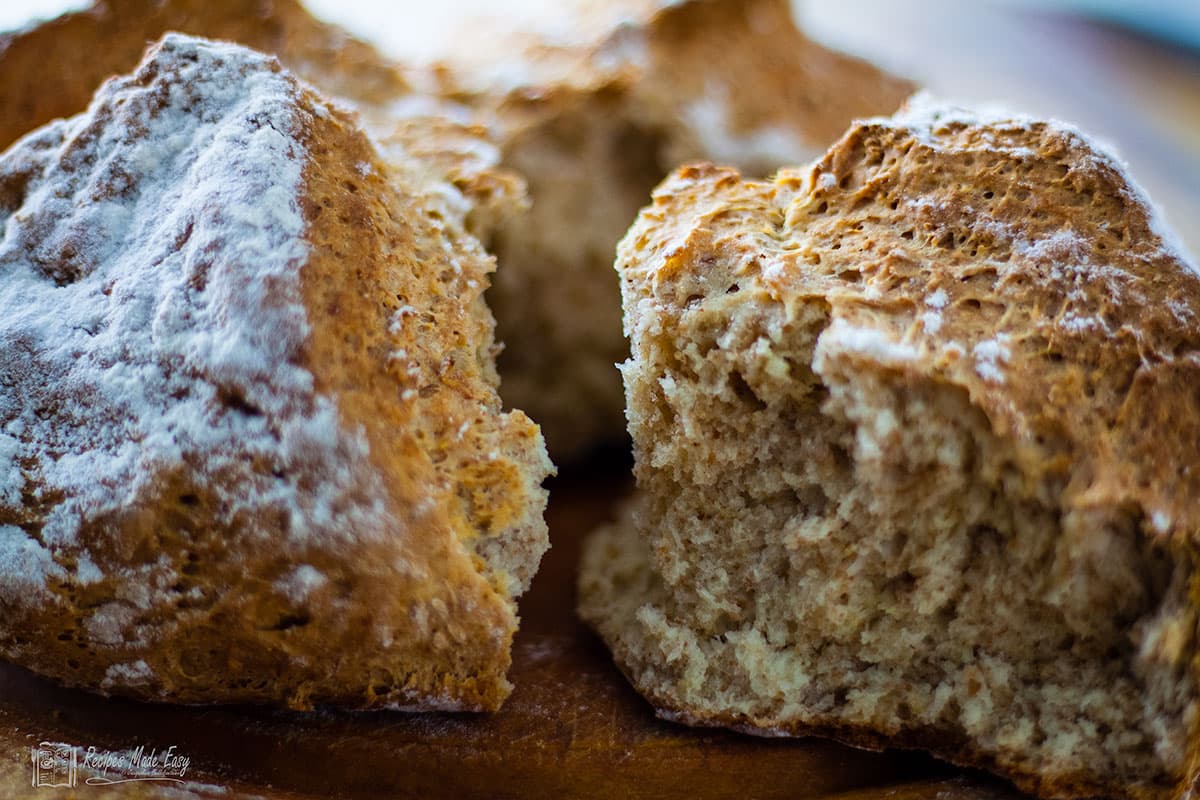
point(1011, 257)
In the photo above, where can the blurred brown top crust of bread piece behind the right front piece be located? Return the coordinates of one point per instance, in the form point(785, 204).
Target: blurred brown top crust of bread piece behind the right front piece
point(767, 98)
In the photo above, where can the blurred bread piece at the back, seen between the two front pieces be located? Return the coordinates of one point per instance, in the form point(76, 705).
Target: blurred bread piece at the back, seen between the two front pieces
point(595, 117)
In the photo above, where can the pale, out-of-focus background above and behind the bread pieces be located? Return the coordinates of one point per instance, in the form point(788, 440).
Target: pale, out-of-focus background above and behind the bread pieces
point(1126, 71)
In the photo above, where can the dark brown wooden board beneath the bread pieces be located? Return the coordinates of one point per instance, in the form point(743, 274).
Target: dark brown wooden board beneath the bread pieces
point(573, 729)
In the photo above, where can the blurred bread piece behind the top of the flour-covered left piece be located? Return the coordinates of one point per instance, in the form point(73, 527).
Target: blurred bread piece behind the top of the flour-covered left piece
point(74, 55)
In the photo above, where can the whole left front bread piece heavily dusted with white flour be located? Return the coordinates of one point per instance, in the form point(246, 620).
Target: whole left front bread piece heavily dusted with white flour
point(251, 447)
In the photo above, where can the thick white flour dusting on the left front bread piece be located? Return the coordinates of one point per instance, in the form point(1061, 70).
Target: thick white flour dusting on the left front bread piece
point(151, 311)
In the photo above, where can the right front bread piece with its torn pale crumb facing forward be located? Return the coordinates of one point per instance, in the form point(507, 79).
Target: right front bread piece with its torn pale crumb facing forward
point(916, 434)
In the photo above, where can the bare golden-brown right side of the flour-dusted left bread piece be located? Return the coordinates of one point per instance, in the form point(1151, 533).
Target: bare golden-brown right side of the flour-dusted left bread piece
point(446, 430)
